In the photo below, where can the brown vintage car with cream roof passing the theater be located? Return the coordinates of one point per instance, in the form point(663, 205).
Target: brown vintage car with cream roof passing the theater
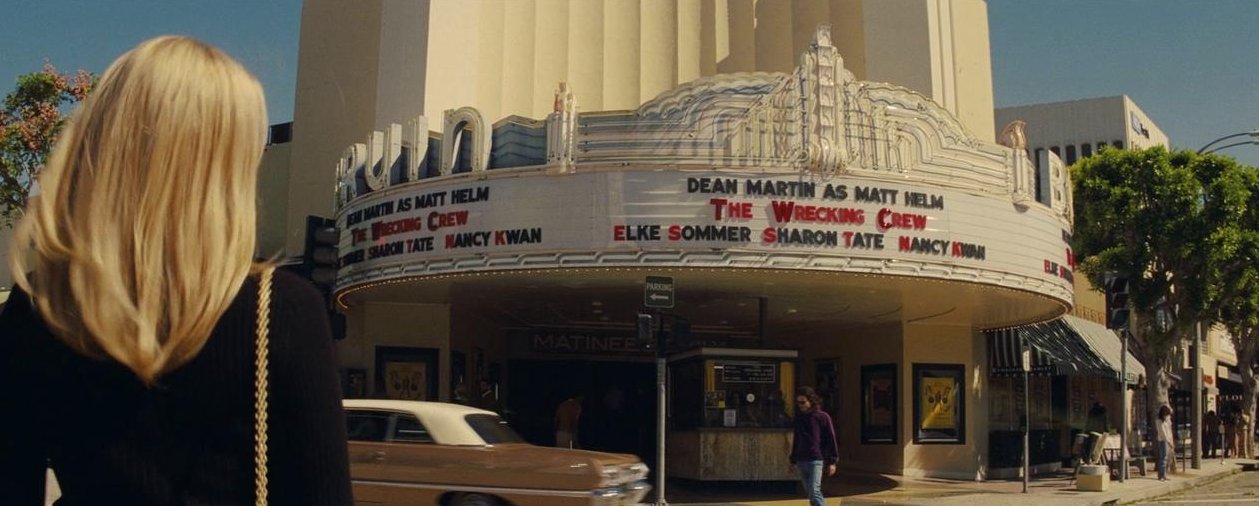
point(405, 453)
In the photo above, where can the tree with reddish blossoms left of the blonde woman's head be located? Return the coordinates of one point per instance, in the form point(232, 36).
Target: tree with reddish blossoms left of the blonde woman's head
point(32, 118)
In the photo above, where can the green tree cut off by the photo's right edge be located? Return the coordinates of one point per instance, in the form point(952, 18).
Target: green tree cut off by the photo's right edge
point(1238, 280)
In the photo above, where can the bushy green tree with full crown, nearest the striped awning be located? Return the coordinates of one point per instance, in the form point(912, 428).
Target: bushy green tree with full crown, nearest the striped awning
point(1154, 216)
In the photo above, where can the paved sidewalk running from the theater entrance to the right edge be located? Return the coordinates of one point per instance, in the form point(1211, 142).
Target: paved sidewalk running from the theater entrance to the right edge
point(1054, 489)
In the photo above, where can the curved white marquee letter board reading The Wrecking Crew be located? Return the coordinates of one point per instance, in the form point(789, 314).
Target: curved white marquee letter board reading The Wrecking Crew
point(747, 220)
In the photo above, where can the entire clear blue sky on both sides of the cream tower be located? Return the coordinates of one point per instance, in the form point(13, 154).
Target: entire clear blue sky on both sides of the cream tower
point(1192, 65)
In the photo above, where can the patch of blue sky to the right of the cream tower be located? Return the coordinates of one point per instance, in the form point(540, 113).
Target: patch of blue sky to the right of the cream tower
point(1192, 65)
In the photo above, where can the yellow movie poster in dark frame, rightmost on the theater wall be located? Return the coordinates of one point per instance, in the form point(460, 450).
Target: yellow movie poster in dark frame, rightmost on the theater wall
point(940, 405)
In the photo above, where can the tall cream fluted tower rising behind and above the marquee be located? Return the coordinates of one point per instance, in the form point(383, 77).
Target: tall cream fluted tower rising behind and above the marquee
point(366, 65)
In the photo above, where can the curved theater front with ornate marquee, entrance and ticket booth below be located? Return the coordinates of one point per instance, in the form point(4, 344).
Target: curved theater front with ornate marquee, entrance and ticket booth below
point(815, 231)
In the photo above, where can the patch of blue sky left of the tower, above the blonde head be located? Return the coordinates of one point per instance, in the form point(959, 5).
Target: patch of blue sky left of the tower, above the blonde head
point(90, 35)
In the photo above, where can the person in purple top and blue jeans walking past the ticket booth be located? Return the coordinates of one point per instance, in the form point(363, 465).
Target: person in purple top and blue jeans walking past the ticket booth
point(814, 449)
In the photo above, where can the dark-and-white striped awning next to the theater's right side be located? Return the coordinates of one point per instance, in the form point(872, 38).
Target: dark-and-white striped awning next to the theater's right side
point(1064, 347)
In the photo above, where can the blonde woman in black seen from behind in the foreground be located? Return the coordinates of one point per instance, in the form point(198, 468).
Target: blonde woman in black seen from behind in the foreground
point(127, 352)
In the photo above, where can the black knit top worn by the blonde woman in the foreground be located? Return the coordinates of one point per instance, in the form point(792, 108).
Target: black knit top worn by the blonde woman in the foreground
point(189, 440)
